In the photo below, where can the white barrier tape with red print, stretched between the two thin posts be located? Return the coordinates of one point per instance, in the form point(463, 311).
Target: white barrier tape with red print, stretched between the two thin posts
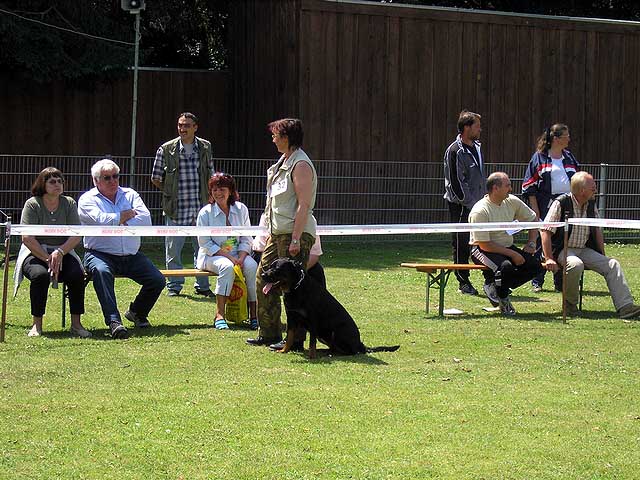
point(327, 230)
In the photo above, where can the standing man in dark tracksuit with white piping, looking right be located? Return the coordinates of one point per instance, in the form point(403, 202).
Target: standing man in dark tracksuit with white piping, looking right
point(464, 184)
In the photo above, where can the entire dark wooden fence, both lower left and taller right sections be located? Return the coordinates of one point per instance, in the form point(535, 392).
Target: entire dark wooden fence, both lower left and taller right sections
point(371, 81)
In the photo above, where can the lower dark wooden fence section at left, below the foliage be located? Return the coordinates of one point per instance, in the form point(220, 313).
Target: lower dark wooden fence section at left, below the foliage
point(94, 118)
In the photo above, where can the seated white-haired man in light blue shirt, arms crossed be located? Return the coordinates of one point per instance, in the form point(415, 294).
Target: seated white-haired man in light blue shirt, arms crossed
point(110, 204)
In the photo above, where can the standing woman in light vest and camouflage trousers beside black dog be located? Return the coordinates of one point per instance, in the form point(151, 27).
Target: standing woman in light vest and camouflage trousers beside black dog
point(291, 196)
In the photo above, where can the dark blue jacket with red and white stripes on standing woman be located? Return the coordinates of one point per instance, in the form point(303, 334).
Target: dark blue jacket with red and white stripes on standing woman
point(537, 178)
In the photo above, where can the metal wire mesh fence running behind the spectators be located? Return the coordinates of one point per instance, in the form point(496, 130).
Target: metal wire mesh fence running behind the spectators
point(349, 192)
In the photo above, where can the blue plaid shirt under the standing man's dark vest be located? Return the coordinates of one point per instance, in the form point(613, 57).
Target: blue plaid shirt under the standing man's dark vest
point(188, 182)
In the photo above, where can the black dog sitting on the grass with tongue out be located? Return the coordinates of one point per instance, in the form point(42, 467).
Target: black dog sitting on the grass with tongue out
point(310, 305)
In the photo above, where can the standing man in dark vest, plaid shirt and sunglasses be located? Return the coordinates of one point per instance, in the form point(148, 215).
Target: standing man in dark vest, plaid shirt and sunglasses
point(181, 171)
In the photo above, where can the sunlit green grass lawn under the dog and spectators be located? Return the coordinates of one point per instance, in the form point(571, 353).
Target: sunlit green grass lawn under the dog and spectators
point(474, 396)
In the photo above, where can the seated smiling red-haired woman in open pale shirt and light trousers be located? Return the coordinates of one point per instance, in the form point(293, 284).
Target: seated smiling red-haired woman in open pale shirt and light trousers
point(220, 254)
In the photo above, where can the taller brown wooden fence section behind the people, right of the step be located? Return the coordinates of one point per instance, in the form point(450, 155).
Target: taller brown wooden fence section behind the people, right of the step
point(387, 81)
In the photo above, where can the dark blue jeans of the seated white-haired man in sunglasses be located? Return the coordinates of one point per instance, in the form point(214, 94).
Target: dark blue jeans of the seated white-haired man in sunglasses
point(103, 267)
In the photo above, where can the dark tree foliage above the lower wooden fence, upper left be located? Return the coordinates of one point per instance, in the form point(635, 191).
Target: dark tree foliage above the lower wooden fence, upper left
point(53, 39)
